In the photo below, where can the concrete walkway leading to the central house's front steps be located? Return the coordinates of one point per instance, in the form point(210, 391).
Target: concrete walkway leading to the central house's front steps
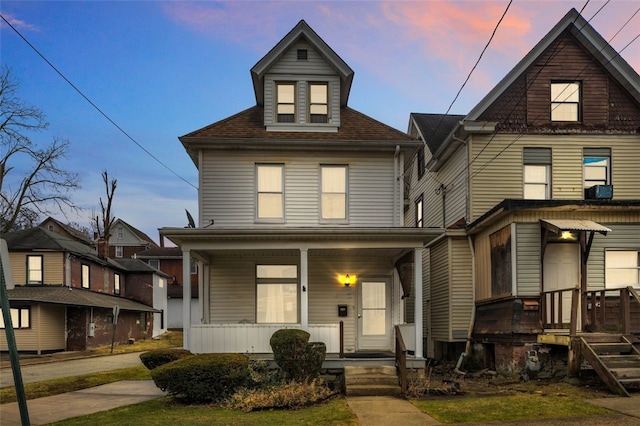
point(388, 410)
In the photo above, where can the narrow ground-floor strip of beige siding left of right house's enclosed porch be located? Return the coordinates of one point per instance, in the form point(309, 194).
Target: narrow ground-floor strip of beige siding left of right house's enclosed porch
point(461, 288)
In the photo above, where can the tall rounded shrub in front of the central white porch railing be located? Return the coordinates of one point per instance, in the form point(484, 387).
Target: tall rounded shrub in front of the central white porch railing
point(300, 360)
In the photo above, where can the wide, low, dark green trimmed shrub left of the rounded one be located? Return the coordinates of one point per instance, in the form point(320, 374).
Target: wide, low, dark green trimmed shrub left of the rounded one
point(203, 378)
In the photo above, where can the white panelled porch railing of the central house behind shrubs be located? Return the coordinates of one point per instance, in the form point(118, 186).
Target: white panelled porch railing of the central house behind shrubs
point(254, 338)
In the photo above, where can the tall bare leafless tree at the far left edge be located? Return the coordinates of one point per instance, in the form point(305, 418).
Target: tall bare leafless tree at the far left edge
point(31, 180)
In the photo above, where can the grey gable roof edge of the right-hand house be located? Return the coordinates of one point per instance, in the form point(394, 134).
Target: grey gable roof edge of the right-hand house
point(590, 39)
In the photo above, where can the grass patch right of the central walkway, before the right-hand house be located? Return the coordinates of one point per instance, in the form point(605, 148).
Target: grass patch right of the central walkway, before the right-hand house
point(506, 408)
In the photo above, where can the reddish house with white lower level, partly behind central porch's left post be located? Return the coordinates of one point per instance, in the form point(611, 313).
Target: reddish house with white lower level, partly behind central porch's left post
point(169, 261)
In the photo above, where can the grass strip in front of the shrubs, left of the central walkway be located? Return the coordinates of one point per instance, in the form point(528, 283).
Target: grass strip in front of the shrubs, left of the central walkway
point(164, 411)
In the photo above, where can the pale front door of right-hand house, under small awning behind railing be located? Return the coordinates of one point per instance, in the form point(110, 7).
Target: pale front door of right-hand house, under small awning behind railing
point(561, 271)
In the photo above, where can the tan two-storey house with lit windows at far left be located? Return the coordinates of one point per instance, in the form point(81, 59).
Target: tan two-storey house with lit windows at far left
point(65, 294)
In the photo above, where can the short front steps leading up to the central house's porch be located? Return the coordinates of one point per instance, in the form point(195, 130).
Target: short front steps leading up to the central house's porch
point(381, 380)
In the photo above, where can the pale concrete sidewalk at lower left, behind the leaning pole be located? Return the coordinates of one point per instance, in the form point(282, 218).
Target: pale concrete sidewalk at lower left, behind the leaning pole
point(79, 403)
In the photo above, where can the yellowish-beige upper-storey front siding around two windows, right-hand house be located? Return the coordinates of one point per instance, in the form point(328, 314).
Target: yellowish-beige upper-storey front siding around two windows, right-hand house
point(497, 175)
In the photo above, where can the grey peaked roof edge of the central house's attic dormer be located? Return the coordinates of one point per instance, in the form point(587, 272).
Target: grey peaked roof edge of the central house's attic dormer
point(301, 30)
